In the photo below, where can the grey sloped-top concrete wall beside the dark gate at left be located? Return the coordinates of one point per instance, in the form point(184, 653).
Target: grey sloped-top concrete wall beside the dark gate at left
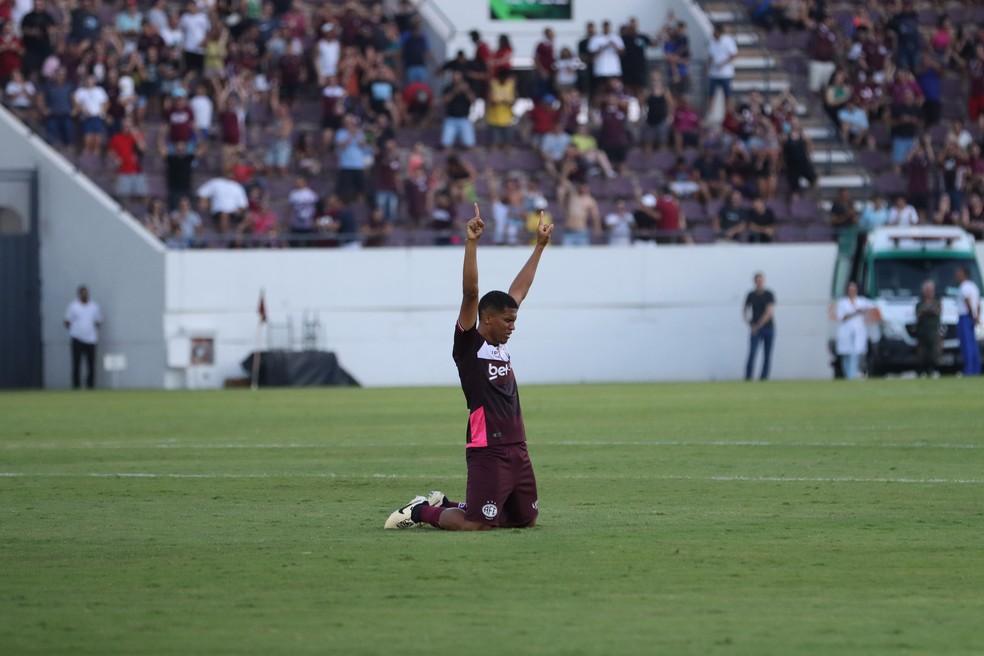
point(85, 238)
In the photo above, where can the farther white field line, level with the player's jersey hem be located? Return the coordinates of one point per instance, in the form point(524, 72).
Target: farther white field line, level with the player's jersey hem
point(535, 444)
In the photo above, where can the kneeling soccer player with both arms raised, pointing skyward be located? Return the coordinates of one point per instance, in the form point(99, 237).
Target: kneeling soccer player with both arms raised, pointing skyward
point(501, 487)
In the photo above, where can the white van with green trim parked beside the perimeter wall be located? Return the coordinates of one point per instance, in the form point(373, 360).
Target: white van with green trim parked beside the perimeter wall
point(890, 266)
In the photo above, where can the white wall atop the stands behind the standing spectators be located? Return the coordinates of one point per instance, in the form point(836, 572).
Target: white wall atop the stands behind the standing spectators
point(466, 15)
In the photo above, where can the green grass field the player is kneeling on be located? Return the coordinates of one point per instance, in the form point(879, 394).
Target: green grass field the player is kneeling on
point(780, 518)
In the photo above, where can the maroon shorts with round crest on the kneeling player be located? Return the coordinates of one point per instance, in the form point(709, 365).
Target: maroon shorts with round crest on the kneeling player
point(501, 487)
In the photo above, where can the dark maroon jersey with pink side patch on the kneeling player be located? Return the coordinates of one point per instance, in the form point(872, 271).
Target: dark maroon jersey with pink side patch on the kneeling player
point(489, 384)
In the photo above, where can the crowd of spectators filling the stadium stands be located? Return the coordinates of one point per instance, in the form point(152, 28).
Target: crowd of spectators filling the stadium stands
point(282, 122)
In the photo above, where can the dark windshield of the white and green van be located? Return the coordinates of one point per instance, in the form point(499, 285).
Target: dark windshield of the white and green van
point(903, 277)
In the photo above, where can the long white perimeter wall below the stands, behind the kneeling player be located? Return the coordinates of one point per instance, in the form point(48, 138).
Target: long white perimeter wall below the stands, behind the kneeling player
point(596, 314)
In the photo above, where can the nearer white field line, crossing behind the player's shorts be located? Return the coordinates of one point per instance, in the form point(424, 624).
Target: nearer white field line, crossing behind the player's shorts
point(332, 475)
